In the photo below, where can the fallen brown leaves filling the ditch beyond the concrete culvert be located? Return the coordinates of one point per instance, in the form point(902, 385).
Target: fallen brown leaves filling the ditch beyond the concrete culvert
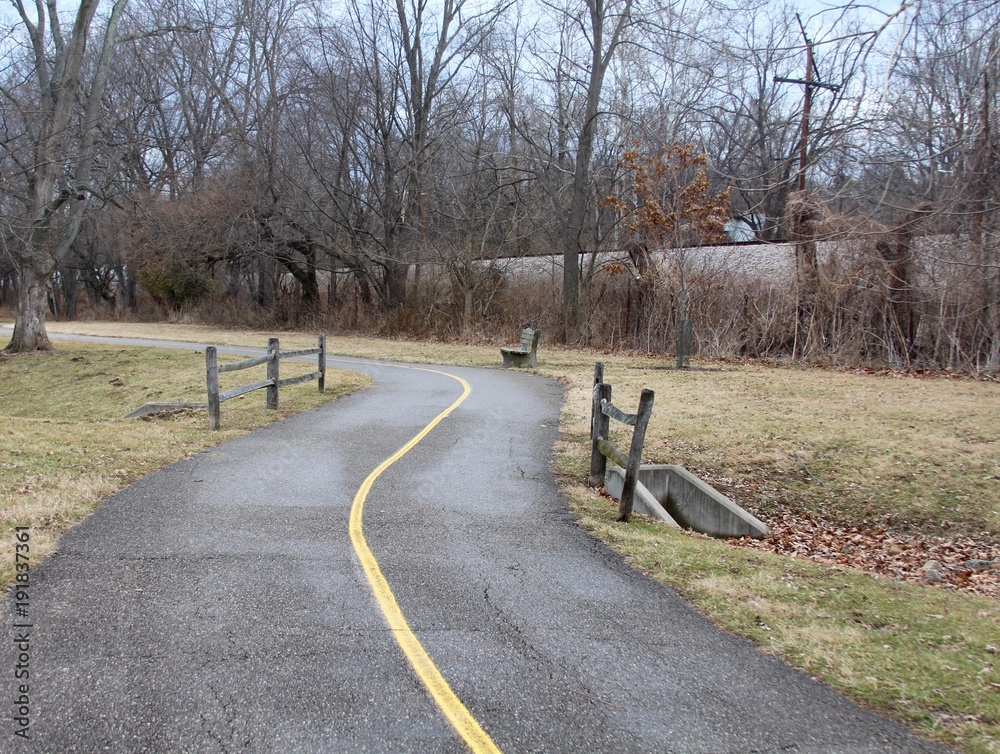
point(961, 562)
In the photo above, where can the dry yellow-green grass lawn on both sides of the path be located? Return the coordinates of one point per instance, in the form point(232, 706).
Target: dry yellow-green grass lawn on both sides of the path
point(904, 468)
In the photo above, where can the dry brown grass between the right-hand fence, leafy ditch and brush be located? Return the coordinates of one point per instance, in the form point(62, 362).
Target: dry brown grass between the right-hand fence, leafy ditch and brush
point(908, 453)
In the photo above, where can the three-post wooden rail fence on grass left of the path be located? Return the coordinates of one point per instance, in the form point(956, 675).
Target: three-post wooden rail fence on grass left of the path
point(273, 382)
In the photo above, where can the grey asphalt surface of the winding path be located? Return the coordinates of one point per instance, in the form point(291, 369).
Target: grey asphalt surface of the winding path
point(218, 605)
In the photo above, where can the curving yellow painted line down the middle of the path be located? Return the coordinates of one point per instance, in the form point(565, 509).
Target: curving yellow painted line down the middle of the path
point(451, 706)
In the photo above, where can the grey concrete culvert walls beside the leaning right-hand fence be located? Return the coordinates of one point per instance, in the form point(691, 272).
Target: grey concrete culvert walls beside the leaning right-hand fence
point(675, 495)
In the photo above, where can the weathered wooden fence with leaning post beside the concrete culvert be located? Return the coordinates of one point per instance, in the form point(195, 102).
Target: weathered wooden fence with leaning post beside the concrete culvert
point(602, 449)
